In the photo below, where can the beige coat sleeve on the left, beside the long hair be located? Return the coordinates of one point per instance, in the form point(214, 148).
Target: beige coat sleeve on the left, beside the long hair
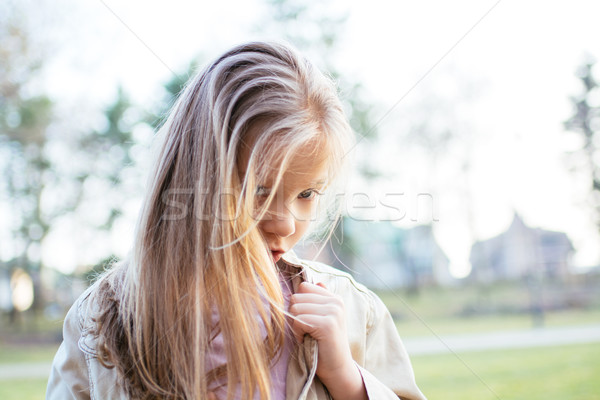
point(69, 377)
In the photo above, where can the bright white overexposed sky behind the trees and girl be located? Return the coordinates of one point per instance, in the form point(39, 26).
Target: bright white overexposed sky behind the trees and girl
point(503, 81)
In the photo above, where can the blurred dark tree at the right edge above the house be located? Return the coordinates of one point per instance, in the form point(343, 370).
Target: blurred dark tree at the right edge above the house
point(586, 122)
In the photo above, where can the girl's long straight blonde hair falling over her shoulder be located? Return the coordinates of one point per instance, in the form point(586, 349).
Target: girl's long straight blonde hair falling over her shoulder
point(197, 246)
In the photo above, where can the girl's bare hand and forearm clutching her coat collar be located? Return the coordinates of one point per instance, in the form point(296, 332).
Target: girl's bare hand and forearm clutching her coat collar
point(321, 315)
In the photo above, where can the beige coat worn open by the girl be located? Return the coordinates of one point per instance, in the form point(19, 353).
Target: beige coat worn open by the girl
point(374, 343)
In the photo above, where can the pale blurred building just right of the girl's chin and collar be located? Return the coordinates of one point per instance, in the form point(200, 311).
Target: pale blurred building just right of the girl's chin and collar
point(380, 254)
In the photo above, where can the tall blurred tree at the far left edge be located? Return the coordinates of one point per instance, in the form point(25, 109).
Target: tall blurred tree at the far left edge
point(24, 120)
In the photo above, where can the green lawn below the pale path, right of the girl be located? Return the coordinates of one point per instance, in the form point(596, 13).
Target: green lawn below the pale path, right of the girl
point(566, 372)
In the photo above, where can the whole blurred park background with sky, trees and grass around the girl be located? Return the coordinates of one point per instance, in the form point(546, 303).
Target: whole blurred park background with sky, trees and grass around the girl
point(472, 207)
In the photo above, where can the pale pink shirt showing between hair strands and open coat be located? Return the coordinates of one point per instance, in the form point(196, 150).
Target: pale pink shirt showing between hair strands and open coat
point(217, 356)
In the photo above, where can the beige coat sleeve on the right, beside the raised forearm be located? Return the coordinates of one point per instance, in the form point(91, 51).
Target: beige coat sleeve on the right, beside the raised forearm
point(387, 371)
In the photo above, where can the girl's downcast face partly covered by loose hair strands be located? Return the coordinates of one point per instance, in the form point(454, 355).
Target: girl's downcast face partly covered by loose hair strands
point(294, 204)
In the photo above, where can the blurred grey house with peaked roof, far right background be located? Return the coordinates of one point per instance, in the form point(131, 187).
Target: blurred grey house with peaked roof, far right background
point(522, 251)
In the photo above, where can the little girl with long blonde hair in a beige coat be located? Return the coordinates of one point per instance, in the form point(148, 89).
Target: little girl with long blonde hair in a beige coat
point(212, 303)
